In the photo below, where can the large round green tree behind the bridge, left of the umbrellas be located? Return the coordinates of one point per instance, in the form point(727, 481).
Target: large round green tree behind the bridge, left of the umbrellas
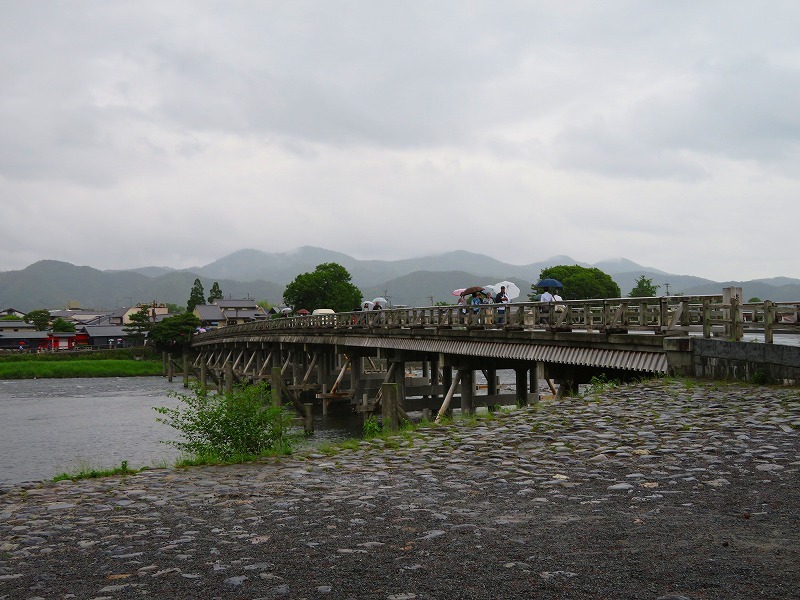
point(327, 287)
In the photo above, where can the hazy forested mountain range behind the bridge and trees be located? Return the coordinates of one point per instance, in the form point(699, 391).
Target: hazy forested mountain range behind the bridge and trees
point(263, 276)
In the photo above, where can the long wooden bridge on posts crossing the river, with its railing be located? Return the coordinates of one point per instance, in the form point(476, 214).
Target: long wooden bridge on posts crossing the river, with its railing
point(433, 353)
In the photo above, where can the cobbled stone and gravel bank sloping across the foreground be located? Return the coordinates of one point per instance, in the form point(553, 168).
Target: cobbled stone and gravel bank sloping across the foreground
point(666, 489)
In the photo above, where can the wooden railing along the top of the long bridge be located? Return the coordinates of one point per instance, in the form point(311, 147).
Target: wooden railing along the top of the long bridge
point(707, 314)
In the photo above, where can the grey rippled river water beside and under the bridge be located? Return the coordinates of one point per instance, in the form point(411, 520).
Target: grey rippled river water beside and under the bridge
point(53, 426)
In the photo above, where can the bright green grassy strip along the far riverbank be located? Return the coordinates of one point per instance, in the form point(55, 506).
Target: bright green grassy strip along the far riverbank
point(123, 362)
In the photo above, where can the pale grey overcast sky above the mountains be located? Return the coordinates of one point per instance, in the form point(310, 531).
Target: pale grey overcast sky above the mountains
point(171, 133)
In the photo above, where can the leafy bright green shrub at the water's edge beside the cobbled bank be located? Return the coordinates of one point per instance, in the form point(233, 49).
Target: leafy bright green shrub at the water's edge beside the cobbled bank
point(232, 427)
